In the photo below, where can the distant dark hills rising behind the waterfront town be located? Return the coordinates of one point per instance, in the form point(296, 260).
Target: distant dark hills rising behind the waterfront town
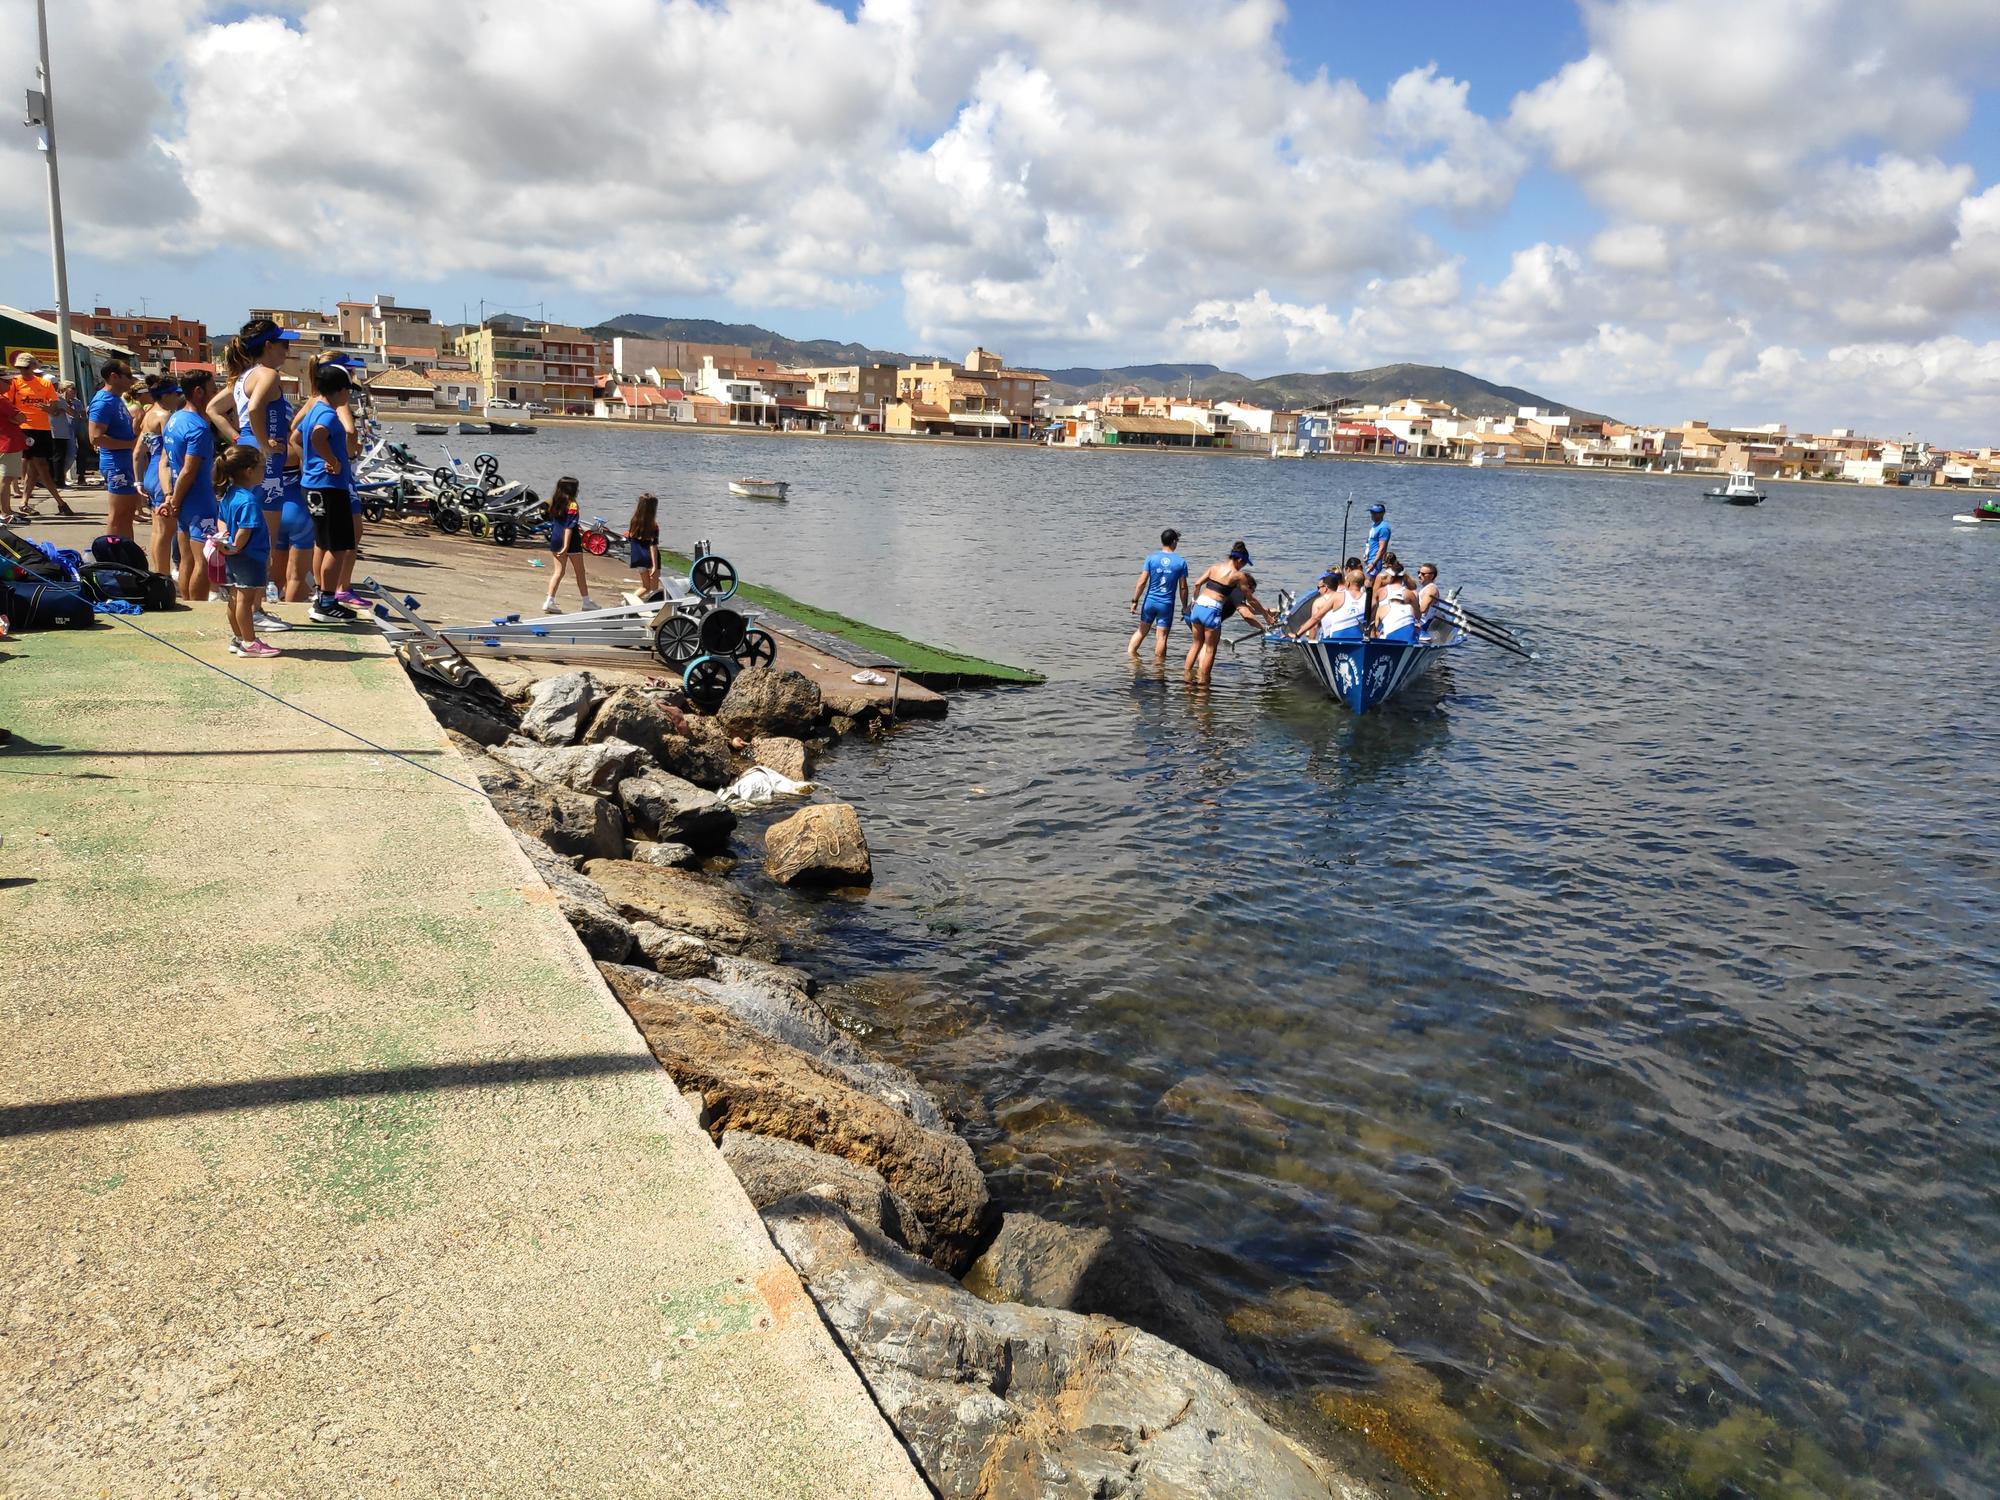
point(1205, 381)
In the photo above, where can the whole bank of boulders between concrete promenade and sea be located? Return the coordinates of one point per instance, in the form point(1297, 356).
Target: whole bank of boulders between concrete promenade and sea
point(961, 1319)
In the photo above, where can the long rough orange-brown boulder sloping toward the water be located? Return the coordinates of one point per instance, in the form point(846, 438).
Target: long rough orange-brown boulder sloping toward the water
point(753, 1083)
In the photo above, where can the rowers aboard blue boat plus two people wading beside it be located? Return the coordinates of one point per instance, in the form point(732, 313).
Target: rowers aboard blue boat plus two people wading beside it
point(1369, 597)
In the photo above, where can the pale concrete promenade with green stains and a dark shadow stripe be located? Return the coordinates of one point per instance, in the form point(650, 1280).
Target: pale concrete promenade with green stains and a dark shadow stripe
point(327, 1163)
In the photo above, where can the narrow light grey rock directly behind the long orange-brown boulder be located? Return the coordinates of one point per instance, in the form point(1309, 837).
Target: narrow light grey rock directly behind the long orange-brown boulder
point(777, 1003)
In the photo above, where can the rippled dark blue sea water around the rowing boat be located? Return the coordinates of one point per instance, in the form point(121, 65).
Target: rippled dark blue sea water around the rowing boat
point(1613, 1033)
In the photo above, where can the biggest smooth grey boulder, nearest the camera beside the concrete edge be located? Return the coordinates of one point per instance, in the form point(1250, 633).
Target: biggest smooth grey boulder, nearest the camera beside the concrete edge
point(1011, 1403)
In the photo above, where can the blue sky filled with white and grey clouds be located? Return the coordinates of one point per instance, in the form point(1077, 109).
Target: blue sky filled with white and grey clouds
point(1743, 211)
